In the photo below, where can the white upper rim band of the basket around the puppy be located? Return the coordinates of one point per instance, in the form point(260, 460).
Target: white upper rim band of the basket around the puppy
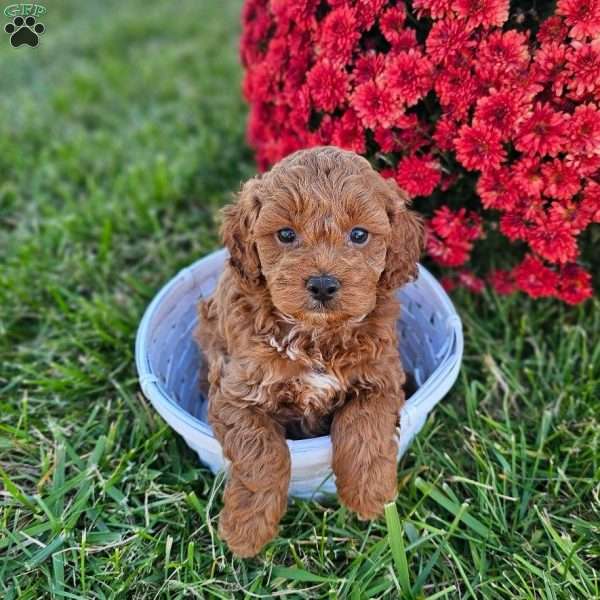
point(435, 387)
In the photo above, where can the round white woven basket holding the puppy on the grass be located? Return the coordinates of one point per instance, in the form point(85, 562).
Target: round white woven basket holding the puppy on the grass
point(167, 359)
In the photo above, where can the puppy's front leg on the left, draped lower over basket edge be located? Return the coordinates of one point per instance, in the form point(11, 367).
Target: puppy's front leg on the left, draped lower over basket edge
point(255, 496)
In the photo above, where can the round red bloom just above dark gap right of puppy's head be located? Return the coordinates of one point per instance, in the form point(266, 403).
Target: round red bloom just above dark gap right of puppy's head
point(479, 147)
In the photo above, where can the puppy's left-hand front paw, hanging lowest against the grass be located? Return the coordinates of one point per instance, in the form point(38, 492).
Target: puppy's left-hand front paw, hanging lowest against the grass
point(245, 533)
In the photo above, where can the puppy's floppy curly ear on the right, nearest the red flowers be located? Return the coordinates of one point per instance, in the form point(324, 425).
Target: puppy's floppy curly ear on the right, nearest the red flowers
point(407, 241)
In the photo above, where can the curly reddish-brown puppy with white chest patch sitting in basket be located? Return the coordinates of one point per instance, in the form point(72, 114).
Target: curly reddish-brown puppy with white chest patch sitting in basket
point(300, 334)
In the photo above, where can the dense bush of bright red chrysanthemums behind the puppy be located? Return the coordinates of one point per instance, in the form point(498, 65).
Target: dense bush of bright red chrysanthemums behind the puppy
point(491, 120)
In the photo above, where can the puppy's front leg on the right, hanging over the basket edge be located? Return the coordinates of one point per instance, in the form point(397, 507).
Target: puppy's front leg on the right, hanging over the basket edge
point(364, 442)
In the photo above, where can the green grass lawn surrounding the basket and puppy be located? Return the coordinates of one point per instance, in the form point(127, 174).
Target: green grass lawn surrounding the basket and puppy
point(120, 137)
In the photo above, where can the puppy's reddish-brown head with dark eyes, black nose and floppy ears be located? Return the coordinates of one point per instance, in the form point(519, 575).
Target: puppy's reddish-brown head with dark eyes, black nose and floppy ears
point(325, 233)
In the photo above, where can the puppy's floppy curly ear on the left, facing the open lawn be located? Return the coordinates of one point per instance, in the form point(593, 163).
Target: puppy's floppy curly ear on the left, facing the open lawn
point(239, 219)
